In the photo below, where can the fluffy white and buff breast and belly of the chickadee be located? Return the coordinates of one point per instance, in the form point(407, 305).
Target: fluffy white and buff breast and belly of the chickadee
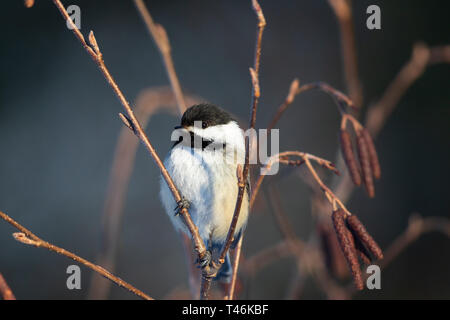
point(209, 183)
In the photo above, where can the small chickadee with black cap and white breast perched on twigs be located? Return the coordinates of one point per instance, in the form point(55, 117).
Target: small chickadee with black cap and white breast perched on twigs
point(203, 161)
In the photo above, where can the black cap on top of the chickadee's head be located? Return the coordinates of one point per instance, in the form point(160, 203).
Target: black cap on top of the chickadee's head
point(208, 114)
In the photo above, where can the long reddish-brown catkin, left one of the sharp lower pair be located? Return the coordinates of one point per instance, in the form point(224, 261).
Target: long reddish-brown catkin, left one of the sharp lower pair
point(347, 244)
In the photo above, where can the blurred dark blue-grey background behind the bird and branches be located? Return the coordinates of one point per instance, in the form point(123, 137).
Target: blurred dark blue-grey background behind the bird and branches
point(59, 126)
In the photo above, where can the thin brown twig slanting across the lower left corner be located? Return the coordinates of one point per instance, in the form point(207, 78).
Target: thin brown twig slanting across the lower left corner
point(27, 237)
